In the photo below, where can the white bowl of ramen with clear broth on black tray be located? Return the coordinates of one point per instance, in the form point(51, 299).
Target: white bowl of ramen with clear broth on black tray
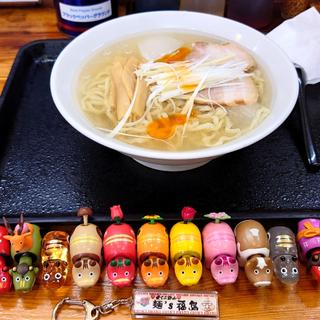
point(173, 89)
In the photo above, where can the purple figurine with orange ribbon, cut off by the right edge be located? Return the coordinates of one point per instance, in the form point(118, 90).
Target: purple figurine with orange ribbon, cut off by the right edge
point(308, 238)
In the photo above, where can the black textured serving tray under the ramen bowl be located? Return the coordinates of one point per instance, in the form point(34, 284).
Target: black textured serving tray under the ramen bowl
point(48, 169)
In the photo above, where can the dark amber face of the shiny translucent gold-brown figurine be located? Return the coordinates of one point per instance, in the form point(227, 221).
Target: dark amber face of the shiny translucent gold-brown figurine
point(54, 273)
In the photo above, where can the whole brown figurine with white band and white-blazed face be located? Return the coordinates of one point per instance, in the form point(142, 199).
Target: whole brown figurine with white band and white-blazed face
point(253, 252)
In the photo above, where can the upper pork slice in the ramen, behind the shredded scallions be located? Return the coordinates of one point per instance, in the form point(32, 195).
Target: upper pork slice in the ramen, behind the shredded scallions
point(218, 51)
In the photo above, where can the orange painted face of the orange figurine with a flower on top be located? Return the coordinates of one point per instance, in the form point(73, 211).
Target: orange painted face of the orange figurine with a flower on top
point(155, 272)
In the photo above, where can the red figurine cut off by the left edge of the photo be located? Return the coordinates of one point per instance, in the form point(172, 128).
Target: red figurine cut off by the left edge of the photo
point(5, 261)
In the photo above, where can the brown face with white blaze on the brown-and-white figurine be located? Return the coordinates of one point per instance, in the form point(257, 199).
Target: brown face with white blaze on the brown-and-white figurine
point(259, 271)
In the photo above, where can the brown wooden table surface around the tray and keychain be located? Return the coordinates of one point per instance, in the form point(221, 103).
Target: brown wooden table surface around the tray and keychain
point(19, 26)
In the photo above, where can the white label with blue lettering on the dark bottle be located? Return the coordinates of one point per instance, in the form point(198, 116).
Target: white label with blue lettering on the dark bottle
point(91, 13)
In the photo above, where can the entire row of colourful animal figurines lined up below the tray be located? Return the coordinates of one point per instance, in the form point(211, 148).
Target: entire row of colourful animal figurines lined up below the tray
point(261, 253)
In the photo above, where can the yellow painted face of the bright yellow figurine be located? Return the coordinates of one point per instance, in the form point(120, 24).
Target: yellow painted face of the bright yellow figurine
point(188, 270)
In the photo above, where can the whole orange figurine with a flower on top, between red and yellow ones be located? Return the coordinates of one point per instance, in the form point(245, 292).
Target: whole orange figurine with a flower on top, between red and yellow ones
point(153, 252)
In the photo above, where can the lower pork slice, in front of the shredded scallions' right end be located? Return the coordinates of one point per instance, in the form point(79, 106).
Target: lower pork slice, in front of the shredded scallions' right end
point(235, 93)
